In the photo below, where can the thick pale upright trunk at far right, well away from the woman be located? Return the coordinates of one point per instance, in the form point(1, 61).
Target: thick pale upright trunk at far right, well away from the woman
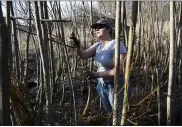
point(171, 66)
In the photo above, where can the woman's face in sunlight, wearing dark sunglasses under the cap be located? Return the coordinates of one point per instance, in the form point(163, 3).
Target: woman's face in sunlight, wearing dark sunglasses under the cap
point(102, 31)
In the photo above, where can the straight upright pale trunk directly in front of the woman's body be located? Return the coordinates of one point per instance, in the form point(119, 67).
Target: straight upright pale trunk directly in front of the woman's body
point(117, 62)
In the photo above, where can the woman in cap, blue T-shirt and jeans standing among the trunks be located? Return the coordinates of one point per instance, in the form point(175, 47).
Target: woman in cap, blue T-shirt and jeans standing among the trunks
point(103, 53)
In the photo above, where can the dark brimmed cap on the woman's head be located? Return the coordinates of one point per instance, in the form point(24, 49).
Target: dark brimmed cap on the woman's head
point(103, 22)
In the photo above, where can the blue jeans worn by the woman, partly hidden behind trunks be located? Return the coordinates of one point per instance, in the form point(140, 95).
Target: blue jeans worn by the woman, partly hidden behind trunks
point(106, 92)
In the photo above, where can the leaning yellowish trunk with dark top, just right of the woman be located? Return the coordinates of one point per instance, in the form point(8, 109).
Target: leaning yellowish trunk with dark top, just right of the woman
point(129, 60)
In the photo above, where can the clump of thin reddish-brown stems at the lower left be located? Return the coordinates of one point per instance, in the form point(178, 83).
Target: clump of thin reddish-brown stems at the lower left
point(21, 103)
